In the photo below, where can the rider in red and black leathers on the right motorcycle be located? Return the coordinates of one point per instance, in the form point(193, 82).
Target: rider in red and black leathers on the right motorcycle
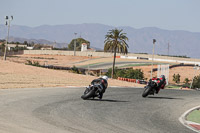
point(161, 82)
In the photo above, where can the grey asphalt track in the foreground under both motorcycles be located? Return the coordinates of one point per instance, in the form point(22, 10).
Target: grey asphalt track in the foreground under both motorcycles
point(122, 110)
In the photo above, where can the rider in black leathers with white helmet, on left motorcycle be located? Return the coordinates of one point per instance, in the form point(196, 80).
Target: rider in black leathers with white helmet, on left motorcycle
point(102, 82)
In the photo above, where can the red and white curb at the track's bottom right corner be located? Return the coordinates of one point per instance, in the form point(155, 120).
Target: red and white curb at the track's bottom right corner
point(189, 124)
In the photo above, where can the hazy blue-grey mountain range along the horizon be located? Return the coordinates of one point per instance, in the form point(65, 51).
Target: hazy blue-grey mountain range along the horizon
point(140, 40)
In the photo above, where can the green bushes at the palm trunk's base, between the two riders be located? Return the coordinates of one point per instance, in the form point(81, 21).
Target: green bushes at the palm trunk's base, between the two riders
point(126, 73)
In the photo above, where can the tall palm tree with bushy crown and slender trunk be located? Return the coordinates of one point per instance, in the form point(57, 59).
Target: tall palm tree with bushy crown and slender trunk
point(115, 41)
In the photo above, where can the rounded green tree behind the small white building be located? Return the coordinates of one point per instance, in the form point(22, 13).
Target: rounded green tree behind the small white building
point(79, 41)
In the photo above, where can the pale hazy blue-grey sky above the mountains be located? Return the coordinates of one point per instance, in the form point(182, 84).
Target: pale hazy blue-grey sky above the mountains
point(165, 14)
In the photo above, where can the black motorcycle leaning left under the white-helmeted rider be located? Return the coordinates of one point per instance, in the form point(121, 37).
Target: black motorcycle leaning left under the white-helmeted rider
point(91, 91)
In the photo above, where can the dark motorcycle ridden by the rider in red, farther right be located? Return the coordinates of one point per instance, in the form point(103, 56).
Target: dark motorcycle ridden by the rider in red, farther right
point(150, 89)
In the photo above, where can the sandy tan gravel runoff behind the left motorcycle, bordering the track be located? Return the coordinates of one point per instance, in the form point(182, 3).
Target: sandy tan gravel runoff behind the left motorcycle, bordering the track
point(17, 75)
